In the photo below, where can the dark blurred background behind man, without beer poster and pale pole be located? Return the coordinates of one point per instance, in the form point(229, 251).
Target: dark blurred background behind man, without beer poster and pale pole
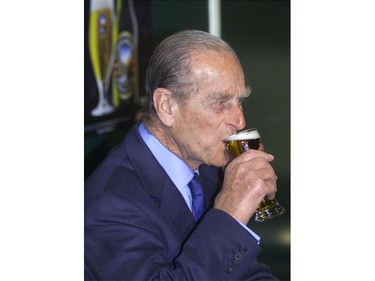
point(259, 32)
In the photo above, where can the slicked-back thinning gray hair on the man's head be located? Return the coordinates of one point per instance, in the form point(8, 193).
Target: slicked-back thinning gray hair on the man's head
point(170, 64)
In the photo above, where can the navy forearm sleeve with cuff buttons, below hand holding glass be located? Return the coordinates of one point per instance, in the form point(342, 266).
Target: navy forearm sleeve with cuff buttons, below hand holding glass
point(220, 246)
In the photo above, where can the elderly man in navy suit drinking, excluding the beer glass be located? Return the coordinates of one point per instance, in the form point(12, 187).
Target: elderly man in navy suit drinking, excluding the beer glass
point(142, 221)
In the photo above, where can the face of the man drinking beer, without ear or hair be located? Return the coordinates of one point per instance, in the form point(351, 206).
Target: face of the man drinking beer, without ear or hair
point(213, 113)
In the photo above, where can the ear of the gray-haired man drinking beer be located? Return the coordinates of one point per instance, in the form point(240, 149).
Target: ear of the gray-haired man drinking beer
point(164, 105)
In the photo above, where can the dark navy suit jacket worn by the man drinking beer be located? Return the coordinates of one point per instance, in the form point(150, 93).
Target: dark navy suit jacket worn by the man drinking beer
point(138, 226)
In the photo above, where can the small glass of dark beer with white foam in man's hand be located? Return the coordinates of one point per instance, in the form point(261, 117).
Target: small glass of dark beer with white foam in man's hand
point(241, 142)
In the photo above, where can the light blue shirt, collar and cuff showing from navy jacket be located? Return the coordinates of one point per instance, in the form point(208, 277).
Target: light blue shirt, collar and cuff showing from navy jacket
point(177, 170)
